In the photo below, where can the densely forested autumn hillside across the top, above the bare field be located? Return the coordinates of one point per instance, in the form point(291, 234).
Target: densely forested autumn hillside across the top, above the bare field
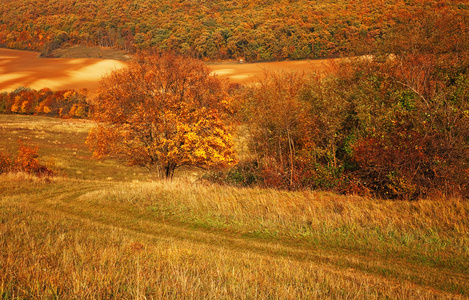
point(256, 30)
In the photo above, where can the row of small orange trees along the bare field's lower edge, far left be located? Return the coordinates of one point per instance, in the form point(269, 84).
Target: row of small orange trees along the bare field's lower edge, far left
point(45, 102)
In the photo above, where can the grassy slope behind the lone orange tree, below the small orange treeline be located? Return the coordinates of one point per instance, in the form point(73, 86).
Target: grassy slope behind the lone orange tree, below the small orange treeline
point(62, 147)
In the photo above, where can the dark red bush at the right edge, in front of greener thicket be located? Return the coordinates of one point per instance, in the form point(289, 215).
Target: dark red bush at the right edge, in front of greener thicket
point(408, 163)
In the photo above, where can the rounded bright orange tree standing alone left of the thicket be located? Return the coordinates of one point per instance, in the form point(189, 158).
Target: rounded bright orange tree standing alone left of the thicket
point(162, 112)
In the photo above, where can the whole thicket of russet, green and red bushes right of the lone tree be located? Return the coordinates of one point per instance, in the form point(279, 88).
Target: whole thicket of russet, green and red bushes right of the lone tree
point(394, 127)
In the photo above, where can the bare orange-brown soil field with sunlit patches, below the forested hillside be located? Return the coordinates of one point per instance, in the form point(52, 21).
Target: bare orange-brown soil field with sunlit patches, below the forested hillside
point(26, 68)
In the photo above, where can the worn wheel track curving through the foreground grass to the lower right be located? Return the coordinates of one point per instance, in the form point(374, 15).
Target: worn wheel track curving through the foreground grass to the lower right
point(389, 269)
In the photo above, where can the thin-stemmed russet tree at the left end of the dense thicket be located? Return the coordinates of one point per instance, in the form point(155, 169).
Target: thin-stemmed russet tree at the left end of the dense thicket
point(280, 127)
